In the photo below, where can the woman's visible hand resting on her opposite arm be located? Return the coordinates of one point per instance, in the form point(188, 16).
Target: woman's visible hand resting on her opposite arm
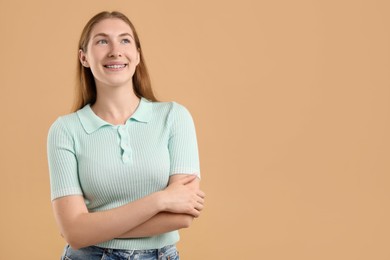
point(183, 196)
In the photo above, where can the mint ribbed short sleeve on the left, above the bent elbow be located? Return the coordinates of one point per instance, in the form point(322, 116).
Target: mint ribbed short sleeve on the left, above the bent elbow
point(62, 162)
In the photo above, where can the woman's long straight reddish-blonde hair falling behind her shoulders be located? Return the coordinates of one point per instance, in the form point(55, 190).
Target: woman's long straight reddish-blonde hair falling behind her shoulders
point(85, 83)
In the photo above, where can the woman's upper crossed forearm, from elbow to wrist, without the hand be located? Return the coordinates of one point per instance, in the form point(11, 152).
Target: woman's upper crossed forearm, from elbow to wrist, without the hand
point(87, 229)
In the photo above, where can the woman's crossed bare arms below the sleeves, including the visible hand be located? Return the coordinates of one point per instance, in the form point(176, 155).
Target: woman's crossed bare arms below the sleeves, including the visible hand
point(81, 228)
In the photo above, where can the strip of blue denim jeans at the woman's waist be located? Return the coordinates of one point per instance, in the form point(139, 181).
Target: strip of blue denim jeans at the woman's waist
point(98, 253)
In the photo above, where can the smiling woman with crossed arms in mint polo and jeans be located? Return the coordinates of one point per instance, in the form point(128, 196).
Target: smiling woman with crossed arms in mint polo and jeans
point(124, 168)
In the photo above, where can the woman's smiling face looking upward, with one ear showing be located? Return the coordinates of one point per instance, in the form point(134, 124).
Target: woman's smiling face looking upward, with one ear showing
point(111, 54)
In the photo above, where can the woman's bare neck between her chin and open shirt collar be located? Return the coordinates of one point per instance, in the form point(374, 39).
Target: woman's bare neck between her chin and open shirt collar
point(115, 105)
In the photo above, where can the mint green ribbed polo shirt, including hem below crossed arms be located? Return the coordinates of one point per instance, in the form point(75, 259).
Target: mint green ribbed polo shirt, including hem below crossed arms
point(111, 165)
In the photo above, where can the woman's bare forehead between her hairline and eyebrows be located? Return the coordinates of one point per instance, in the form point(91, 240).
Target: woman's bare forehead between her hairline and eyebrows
point(111, 27)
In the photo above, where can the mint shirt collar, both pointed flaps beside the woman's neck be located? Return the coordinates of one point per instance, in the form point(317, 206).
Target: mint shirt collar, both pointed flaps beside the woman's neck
point(91, 122)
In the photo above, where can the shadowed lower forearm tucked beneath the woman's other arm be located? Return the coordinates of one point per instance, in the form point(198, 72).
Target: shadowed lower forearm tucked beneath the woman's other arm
point(161, 223)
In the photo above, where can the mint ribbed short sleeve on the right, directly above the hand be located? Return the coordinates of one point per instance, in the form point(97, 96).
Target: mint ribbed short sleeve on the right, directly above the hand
point(183, 146)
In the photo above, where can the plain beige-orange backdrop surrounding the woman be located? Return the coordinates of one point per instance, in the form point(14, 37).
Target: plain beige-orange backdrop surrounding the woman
point(291, 104)
